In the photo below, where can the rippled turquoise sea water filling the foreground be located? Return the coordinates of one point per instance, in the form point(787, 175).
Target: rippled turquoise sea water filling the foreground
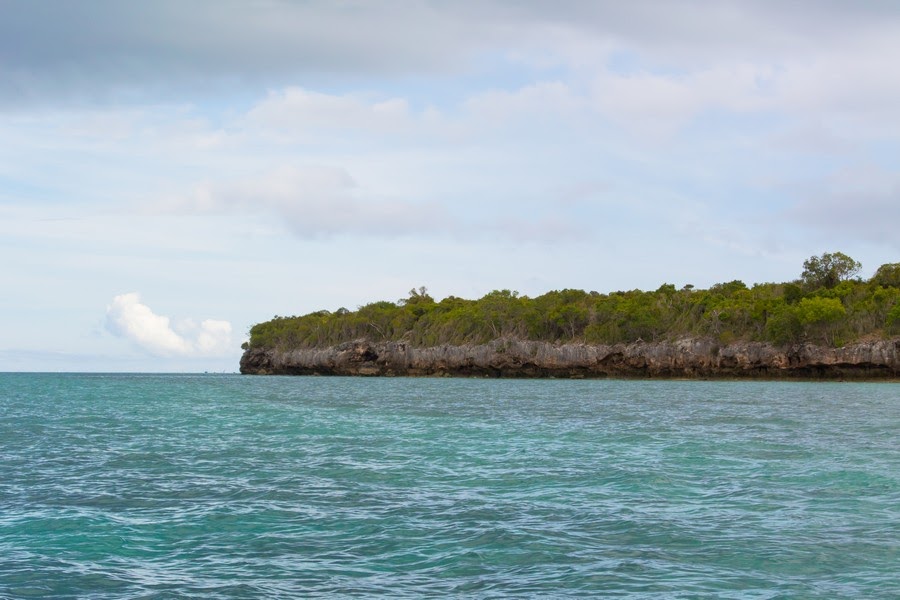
point(153, 486)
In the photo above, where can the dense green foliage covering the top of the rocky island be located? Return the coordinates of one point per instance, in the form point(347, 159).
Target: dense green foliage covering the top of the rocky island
point(827, 305)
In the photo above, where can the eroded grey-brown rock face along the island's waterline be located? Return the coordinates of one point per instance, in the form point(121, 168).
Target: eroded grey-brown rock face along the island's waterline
point(690, 358)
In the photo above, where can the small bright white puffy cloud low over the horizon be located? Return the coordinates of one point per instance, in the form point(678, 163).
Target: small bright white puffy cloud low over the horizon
point(128, 318)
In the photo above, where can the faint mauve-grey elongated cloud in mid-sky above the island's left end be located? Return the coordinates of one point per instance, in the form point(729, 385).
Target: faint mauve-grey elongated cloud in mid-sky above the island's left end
point(318, 202)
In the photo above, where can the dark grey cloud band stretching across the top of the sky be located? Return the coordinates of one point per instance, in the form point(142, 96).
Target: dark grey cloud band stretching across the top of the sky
point(96, 48)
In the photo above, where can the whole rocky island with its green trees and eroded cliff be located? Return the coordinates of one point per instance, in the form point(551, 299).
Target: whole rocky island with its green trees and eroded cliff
point(828, 324)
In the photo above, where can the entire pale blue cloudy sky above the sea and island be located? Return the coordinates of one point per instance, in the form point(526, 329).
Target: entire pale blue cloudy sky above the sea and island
point(172, 173)
